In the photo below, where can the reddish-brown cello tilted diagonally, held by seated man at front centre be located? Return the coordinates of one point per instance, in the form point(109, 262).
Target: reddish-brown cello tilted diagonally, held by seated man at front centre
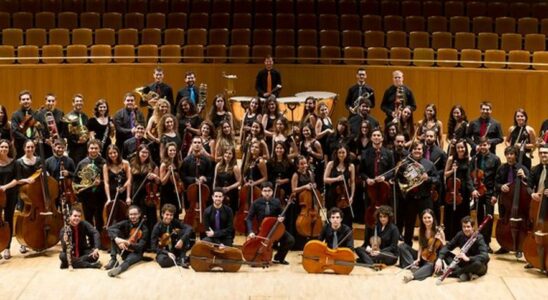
point(259, 248)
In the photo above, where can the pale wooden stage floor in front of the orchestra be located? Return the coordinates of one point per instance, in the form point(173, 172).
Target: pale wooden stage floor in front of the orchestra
point(39, 277)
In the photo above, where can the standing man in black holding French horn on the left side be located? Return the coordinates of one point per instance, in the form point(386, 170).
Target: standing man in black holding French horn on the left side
point(92, 195)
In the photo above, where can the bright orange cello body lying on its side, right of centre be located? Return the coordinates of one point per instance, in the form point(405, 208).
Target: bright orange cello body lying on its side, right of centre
point(317, 258)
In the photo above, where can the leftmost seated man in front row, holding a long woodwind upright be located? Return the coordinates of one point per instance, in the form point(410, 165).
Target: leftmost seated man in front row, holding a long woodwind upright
point(85, 243)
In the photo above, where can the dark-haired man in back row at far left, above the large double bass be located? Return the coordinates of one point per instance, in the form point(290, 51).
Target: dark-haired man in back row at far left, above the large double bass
point(22, 125)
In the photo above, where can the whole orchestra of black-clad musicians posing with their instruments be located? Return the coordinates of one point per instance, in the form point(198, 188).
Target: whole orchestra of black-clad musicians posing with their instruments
point(121, 181)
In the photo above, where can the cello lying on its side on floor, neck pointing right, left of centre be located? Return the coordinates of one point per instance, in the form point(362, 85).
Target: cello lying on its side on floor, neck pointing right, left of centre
point(206, 256)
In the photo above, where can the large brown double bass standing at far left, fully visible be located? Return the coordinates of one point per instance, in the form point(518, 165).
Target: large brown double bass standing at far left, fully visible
point(40, 222)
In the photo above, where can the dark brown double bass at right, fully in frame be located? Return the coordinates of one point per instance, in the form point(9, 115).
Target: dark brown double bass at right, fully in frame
point(512, 225)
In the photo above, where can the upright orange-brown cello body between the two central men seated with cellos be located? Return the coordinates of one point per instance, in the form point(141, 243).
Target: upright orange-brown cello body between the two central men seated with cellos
point(309, 222)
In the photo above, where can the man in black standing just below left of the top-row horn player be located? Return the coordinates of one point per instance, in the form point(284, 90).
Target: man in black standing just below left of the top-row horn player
point(125, 120)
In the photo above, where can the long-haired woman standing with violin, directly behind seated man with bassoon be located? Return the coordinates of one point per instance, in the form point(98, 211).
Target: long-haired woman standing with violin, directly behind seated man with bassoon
point(458, 165)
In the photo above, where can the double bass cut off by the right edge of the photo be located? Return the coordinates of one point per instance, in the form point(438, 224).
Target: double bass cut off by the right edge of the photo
point(536, 243)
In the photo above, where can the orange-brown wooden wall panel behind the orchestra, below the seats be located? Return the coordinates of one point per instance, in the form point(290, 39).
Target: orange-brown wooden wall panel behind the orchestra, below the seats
point(507, 89)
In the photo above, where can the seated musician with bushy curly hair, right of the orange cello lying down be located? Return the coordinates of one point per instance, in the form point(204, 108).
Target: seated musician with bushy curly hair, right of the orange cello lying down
point(383, 246)
